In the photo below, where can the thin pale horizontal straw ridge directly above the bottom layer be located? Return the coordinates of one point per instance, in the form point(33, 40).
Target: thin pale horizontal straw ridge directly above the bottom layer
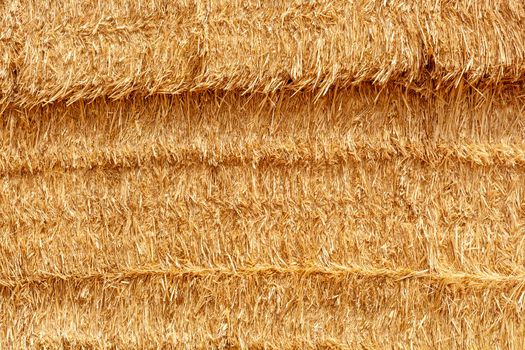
point(443, 277)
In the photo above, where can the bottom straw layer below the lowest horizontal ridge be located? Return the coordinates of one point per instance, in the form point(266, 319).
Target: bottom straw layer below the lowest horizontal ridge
point(258, 308)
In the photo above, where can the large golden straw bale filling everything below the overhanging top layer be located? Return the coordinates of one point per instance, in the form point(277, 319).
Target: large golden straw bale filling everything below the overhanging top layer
point(265, 221)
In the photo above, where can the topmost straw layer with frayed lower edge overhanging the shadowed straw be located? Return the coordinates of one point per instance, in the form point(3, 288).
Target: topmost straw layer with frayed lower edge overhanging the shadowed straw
point(70, 50)
